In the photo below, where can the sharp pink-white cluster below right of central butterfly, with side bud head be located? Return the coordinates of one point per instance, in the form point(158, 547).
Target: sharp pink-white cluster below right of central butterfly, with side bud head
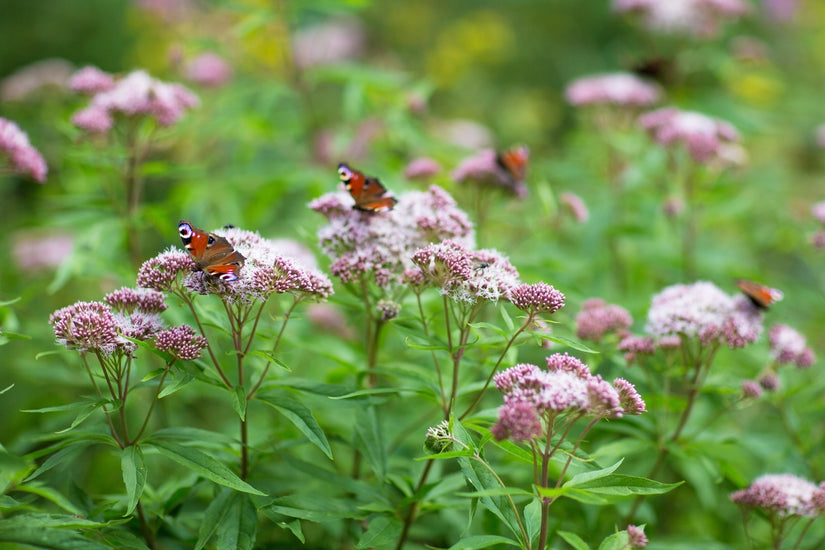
point(471, 276)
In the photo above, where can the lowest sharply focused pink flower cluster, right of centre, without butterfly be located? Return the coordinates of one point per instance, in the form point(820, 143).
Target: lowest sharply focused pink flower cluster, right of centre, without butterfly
point(533, 395)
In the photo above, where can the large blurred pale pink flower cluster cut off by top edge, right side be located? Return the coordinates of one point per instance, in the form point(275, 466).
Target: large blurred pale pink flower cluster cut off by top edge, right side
point(694, 17)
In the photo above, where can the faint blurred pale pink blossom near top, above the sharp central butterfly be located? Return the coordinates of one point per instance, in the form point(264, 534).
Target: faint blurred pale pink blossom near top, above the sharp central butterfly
point(330, 42)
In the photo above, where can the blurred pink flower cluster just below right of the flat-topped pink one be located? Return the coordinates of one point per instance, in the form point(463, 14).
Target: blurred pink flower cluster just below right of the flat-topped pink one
point(707, 139)
